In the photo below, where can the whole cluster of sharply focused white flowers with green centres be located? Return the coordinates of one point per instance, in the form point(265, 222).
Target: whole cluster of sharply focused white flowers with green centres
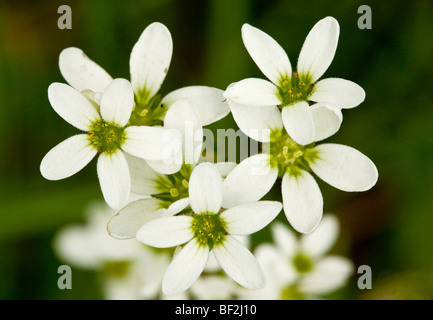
point(151, 145)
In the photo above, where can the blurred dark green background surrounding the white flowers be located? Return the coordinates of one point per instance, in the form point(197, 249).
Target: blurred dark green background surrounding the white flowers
point(389, 228)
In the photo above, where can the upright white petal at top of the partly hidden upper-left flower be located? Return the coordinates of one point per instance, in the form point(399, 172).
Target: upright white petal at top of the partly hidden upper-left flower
point(150, 59)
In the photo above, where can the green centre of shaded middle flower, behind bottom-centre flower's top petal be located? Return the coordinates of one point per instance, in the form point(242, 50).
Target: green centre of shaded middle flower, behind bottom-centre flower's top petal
point(173, 187)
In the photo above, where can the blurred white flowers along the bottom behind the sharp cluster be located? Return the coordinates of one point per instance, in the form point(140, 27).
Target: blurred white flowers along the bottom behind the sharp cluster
point(296, 267)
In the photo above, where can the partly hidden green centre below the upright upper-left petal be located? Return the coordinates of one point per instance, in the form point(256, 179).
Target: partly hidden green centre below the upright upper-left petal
point(148, 111)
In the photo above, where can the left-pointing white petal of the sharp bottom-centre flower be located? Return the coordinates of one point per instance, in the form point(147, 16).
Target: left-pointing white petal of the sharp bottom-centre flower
point(166, 232)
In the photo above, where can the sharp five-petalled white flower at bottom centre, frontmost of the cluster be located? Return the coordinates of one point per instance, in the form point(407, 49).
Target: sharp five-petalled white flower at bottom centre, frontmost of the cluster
point(207, 229)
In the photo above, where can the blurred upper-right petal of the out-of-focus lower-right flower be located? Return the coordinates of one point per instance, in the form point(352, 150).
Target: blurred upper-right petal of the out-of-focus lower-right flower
point(323, 238)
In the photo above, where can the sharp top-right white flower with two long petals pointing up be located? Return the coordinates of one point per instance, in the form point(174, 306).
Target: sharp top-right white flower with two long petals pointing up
point(290, 90)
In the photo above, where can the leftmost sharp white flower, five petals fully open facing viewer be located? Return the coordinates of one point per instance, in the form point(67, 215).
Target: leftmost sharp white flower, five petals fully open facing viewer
point(108, 135)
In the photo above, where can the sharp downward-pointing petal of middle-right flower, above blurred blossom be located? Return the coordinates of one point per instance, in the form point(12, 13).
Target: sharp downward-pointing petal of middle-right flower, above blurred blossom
point(302, 201)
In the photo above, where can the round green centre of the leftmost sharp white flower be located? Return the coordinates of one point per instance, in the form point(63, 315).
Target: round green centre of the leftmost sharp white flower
point(106, 137)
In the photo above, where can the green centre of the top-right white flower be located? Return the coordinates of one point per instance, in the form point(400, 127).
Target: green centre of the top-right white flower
point(294, 89)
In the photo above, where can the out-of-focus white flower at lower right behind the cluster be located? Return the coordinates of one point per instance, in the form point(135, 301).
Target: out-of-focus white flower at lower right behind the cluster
point(299, 267)
